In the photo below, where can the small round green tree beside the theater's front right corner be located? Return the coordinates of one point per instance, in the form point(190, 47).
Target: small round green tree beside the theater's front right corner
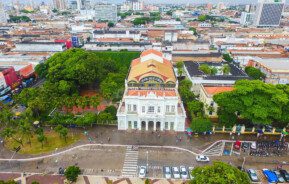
point(200, 125)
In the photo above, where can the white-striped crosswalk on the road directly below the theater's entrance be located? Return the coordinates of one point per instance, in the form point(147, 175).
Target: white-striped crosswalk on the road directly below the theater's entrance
point(130, 162)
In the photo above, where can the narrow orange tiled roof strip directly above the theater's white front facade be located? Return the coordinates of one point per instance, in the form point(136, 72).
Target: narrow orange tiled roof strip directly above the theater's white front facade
point(146, 92)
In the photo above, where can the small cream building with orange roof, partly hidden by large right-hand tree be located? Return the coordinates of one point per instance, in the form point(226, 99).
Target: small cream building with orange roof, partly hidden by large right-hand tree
point(206, 96)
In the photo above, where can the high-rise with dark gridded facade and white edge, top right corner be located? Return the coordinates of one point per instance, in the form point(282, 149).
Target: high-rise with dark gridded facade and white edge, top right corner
point(268, 13)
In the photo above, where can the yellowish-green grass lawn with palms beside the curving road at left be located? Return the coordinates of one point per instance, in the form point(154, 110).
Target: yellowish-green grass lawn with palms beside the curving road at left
point(53, 141)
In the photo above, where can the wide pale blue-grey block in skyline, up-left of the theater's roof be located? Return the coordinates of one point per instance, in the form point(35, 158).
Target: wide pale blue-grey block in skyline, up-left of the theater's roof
point(106, 12)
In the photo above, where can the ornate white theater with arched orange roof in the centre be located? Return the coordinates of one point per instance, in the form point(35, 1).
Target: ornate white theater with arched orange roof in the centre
point(151, 100)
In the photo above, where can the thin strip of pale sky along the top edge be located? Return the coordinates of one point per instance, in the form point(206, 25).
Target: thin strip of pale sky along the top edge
point(157, 1)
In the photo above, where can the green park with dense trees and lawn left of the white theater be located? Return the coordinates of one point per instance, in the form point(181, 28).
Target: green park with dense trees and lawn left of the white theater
point(66, 75)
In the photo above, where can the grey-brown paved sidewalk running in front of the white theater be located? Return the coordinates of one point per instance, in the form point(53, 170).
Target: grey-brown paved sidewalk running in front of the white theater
point(110, 135)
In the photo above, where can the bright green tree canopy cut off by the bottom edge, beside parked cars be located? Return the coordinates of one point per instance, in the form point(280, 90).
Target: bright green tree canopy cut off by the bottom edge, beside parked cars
point(219, 173)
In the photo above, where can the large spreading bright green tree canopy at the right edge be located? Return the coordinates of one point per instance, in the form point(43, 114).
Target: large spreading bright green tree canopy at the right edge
point(256, 101)
